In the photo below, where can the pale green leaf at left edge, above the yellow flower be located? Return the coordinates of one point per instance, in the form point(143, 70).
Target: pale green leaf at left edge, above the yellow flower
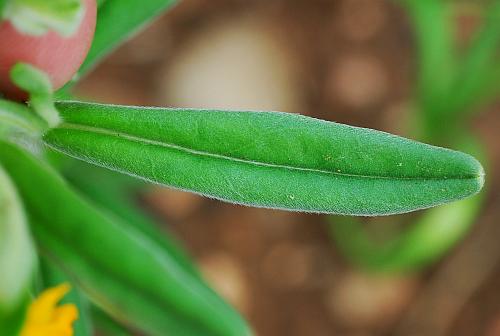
point(17, 258)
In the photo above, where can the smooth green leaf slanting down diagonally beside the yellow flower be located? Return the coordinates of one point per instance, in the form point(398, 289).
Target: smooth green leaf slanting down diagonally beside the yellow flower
point(121, 270)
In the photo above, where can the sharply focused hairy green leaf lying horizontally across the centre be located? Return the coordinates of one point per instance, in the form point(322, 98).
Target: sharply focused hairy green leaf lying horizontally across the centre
point(267, 159)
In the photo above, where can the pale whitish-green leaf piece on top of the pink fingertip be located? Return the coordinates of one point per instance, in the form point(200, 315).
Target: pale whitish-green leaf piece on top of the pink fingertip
point(37, 17)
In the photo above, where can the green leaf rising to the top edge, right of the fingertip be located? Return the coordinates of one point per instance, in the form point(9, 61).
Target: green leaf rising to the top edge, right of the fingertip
point(118, 20)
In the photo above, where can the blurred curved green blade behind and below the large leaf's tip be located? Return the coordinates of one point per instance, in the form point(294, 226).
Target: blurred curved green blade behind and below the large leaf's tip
point(419, 240)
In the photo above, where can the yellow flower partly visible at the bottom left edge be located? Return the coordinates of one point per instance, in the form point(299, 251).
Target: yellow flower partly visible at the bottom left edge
point(45, 318)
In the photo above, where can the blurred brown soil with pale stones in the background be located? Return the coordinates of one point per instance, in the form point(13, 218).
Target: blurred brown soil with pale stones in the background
point(351, 61)
